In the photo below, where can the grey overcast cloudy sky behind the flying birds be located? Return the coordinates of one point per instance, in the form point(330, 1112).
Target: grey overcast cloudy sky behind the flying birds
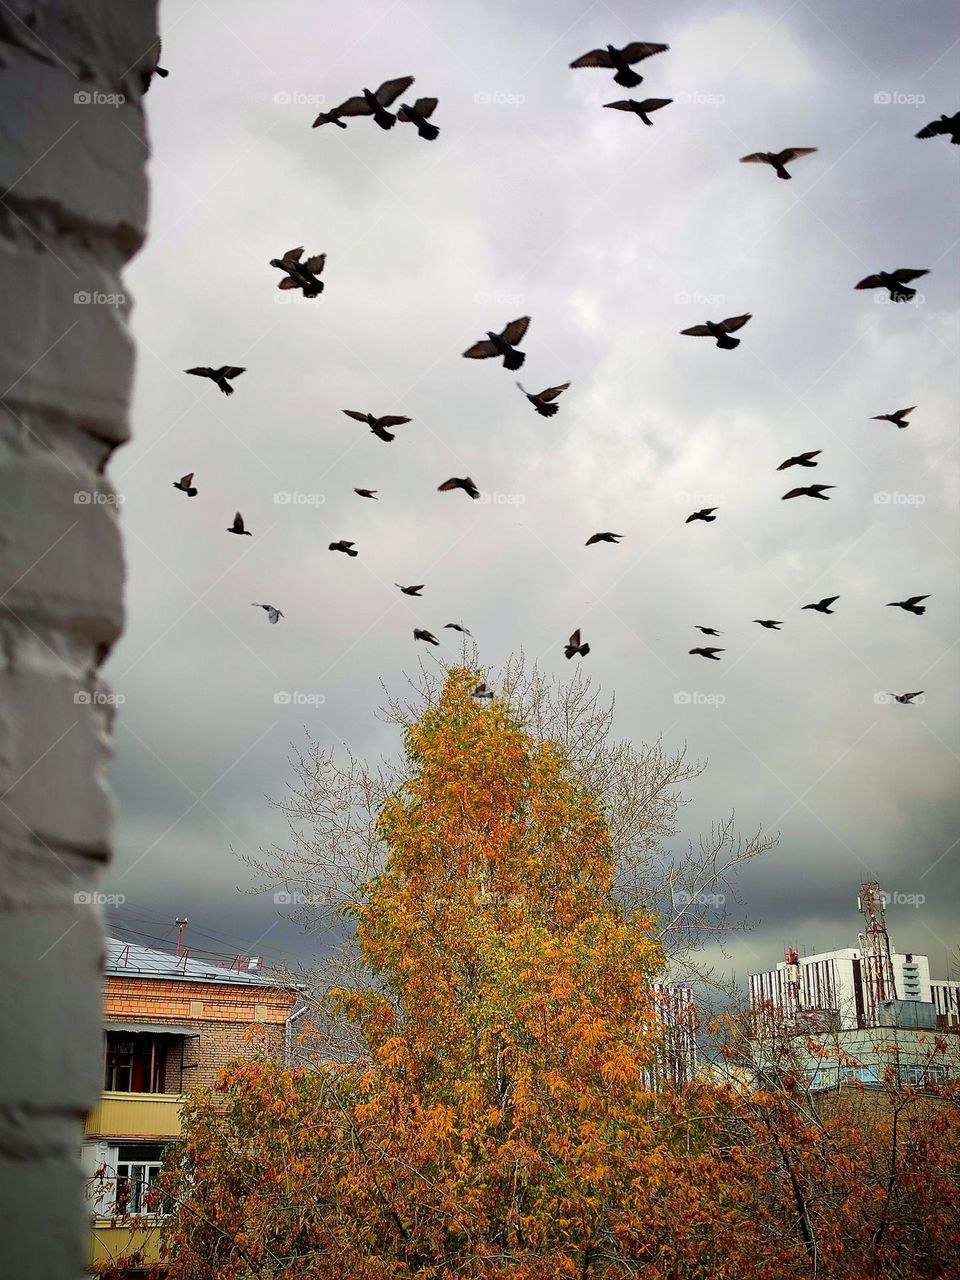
point(612, 237)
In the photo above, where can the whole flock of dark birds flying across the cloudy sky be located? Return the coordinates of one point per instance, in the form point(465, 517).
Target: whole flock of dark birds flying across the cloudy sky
point(305, 275)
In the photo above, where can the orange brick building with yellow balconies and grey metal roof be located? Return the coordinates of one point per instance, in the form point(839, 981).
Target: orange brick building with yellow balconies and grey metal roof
point(170, 1025)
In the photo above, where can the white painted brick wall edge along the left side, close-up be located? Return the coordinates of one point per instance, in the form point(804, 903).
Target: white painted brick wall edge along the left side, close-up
point(74, 205)
